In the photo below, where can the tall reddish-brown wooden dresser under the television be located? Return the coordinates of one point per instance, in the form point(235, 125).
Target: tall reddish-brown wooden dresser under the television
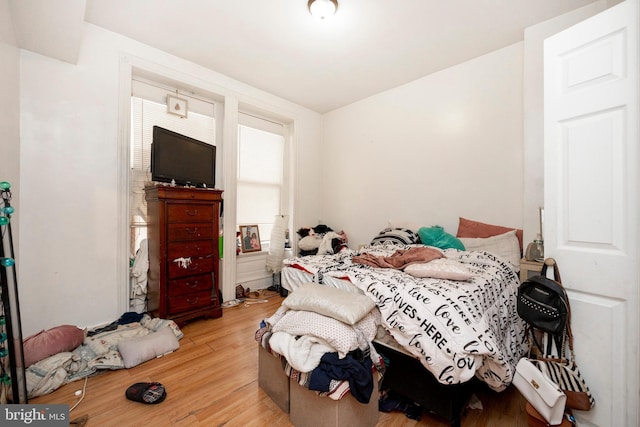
point(183, 230)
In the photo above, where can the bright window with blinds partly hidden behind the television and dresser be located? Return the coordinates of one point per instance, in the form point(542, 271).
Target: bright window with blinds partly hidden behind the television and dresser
point(148, 108)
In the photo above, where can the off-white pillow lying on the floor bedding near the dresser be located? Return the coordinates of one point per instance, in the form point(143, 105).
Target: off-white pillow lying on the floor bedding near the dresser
point(134, 351)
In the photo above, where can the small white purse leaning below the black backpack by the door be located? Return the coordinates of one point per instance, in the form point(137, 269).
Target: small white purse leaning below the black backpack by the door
point(542, 393)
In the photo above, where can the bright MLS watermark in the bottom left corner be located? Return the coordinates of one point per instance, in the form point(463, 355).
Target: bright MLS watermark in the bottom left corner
point(34, 415)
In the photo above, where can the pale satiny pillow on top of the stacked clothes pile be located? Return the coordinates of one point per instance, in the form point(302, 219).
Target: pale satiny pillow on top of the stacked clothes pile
point(345, 306)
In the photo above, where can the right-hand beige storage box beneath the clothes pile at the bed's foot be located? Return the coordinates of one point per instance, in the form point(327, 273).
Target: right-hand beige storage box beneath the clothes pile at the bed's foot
point(307, 409)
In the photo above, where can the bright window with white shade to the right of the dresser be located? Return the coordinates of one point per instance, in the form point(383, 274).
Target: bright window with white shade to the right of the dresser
point(261, 165)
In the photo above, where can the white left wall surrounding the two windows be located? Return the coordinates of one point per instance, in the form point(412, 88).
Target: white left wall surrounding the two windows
point(69, 174)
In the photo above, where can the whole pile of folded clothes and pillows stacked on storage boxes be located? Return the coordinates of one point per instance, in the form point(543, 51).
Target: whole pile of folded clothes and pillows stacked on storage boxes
point(323, 353)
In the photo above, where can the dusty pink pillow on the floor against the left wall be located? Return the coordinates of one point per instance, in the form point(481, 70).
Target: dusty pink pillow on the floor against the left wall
point(52, 341)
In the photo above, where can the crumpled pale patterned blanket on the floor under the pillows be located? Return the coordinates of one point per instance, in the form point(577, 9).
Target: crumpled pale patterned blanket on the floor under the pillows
point(97, 353)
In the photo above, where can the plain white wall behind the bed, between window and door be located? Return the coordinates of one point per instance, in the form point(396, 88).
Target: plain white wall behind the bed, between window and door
point(444, 146)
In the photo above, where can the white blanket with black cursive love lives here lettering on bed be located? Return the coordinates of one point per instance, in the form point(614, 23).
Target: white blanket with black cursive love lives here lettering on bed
point(456, 329)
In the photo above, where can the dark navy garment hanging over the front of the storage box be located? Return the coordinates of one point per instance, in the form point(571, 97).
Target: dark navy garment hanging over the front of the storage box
point(358, 374)
